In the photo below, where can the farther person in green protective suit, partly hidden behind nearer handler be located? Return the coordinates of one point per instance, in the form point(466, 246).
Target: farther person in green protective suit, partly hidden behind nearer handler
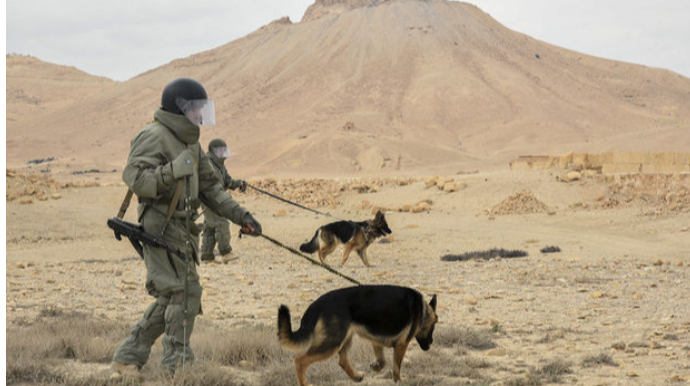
point(217, 228)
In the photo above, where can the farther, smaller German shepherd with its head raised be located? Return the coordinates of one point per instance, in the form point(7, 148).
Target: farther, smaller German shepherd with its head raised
point(355, 235)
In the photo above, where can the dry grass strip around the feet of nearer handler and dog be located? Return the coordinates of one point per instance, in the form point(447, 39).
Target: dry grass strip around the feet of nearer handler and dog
point(36, 353)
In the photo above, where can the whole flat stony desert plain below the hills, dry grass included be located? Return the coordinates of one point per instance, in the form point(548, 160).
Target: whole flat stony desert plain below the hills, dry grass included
point(612, 308)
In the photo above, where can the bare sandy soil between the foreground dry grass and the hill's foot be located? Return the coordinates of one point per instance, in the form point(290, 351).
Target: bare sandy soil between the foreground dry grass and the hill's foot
point(621, 276)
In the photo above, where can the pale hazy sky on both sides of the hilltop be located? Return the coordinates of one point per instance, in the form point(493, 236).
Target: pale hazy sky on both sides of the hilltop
point(121, 39)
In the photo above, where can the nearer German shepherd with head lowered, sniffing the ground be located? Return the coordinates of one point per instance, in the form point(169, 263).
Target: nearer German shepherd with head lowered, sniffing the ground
point(387, 316)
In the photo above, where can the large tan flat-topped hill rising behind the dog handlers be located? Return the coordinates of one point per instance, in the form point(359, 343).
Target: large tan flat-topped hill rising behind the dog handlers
point(397, 86)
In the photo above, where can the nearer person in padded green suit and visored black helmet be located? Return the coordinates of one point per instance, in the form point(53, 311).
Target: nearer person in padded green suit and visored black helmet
point(169, 172)
